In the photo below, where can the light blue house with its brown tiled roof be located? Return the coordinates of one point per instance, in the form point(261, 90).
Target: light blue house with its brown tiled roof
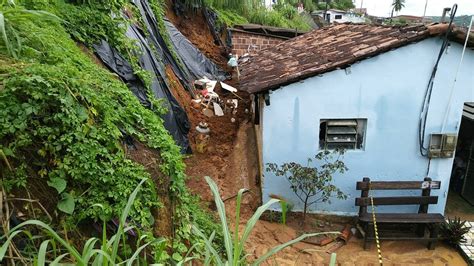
point(392, 97)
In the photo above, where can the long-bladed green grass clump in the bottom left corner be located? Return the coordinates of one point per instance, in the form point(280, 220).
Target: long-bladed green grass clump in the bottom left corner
point(95, 251)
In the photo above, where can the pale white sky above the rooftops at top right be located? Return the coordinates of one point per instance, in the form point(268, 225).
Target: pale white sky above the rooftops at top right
point(416, 7)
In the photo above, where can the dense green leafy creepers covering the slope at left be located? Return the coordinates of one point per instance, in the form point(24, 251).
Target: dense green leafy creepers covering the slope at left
point(63, 119)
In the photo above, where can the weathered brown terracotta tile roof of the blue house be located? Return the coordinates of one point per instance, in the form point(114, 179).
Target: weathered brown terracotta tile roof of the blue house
point(324, 50)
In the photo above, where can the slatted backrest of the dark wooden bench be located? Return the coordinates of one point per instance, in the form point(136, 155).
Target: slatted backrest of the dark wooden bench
point(424, 200)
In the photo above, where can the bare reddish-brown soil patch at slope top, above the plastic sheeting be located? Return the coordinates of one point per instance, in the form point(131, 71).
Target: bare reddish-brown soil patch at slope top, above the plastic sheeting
point(194, 27)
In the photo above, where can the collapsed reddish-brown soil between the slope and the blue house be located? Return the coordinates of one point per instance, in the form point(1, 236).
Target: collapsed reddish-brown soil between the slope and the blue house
point(219, 153)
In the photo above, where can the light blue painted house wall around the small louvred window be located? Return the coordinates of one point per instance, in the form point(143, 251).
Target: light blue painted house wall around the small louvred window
point(388, 91)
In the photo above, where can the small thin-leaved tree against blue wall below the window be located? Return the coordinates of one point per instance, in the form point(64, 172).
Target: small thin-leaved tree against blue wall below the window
point(313, 184)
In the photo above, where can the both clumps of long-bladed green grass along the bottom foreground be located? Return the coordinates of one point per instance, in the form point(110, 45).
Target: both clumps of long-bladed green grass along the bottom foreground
point(106, 251)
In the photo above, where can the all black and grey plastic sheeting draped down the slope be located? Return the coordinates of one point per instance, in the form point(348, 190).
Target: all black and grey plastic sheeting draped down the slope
point(154, 55)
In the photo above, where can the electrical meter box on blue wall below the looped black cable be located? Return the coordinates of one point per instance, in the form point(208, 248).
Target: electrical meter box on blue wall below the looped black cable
point(442, 145)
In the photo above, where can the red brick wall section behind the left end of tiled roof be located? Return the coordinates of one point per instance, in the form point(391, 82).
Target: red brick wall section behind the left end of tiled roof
point(244, 42)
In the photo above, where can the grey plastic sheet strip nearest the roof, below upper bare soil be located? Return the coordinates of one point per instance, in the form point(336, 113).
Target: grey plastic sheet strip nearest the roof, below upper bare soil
point(197, 63)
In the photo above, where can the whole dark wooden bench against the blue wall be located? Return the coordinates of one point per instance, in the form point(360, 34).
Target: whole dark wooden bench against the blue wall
point(426, 224)
